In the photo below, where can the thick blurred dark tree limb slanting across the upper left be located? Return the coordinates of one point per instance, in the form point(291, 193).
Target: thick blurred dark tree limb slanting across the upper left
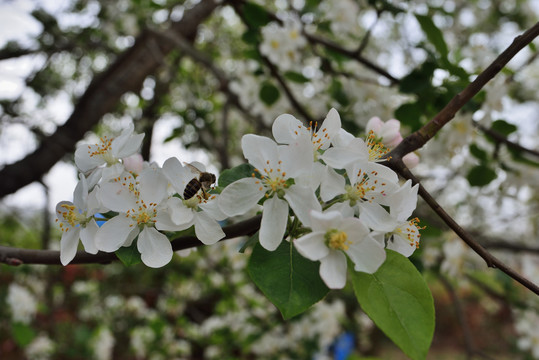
point(102, 95)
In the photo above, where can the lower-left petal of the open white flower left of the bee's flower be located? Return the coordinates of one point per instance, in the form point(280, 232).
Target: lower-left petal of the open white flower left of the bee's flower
point(114, 233)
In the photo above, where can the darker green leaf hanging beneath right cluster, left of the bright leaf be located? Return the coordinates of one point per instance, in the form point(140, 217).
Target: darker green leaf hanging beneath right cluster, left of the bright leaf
point(290, 281)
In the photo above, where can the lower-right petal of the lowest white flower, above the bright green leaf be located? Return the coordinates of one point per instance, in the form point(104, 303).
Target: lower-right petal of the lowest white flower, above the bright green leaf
point(367, 255)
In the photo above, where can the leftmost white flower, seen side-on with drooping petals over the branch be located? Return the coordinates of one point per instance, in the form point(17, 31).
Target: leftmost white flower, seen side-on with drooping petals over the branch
point(77, 222)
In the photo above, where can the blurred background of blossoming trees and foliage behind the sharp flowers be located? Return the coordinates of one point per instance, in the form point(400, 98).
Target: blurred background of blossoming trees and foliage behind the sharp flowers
point(196, 75)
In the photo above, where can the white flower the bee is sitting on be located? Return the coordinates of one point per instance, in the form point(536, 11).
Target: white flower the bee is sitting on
point(201, 210)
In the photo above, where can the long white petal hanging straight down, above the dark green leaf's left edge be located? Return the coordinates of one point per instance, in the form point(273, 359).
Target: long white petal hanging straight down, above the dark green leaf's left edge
point(273, 225)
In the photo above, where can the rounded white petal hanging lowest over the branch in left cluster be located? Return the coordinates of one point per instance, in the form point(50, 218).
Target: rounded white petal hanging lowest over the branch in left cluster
point(155, 248)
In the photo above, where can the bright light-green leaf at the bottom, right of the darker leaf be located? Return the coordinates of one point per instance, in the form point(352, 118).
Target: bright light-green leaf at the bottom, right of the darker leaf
point(399, 302)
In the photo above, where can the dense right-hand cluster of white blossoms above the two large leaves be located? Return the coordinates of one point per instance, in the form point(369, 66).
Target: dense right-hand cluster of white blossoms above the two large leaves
point(332, 183)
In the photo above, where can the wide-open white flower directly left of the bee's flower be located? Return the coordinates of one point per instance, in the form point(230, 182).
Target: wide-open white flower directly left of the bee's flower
point(140, 204)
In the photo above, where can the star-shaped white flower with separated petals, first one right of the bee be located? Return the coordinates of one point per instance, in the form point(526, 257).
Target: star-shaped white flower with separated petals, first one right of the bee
point(276, 165)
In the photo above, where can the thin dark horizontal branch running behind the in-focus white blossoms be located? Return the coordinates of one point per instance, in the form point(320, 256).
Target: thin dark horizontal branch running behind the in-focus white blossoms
point(16, 256)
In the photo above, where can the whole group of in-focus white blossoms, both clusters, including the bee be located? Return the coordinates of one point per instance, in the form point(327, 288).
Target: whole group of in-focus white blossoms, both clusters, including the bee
point(320, 187)
